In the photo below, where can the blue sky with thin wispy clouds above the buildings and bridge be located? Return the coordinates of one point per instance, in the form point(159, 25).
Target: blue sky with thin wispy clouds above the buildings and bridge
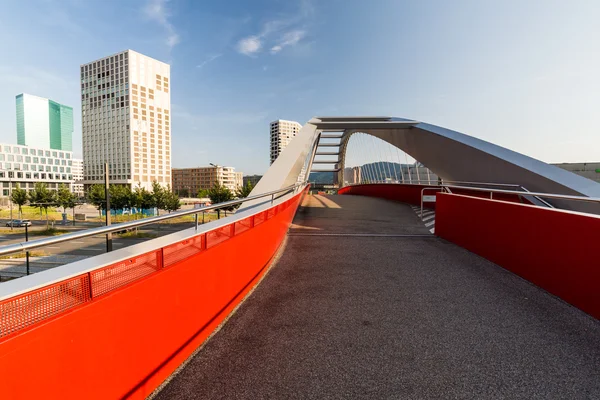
point(521, 74)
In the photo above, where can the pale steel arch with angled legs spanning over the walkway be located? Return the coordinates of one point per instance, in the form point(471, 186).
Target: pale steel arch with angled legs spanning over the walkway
point(451, 155)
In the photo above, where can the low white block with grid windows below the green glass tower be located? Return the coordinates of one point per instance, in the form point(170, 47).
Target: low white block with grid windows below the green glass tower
point(24, 165)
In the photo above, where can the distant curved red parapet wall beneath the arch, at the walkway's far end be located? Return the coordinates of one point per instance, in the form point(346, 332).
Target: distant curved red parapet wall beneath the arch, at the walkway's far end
point(406, 193)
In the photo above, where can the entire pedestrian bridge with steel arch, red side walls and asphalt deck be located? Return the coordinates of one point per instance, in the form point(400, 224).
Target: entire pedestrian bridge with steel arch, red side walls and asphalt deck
point(490, 290)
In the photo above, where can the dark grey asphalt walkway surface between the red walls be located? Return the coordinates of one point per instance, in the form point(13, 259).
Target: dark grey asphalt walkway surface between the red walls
point(391, 317)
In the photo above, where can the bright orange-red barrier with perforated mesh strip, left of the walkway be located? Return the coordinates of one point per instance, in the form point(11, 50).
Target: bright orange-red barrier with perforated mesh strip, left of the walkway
point(120, 331)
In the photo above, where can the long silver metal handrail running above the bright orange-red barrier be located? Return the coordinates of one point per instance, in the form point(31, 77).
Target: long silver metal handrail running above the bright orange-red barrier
point(25, 246)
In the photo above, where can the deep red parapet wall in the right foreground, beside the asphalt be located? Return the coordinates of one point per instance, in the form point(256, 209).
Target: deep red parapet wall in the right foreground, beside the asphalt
point(554, 249)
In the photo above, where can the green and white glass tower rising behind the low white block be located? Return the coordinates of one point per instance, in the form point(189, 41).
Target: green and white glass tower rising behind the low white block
point(44, 123)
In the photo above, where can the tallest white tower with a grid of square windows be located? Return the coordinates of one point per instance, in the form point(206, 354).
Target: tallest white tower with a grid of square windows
point(126, 116)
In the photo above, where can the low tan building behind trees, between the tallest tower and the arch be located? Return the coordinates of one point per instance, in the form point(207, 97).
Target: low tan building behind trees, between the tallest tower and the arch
point(191, 180)
